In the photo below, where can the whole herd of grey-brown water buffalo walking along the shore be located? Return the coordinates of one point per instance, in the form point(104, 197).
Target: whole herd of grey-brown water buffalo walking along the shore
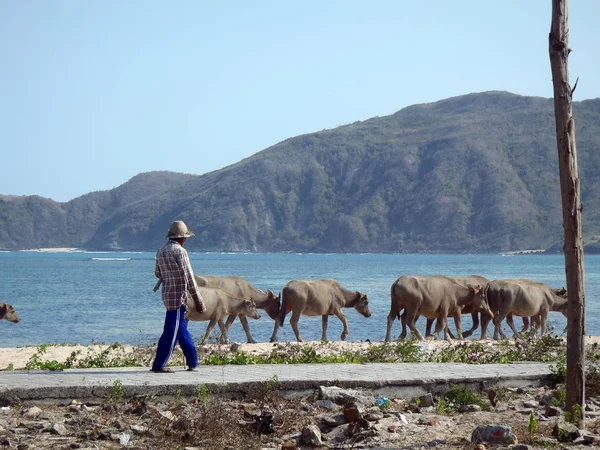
point(434, 297)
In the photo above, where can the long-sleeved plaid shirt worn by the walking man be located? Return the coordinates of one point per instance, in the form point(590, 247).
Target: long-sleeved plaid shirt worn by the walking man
point(173, 267)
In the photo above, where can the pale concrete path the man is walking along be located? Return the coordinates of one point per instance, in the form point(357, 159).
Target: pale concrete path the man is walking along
point(401, 380)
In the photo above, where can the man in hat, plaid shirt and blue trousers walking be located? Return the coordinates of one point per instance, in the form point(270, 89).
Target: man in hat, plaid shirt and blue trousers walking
point(173, 267)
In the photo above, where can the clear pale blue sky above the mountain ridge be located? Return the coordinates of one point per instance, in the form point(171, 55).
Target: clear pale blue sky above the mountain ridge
point(94, 92)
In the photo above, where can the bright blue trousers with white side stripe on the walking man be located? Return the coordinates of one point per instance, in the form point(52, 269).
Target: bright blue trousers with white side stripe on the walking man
point(175, 331)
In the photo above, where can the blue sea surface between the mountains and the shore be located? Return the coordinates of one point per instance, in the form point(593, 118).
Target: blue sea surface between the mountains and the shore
point(85, 297)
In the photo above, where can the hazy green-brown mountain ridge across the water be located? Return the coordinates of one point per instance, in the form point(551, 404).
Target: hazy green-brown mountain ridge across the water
point(475, 173)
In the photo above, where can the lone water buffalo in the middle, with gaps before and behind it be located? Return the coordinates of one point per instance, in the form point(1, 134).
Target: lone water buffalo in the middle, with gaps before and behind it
point(318, 298)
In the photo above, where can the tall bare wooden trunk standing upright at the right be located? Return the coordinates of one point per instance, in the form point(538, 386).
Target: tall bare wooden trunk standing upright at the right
point(569, 187)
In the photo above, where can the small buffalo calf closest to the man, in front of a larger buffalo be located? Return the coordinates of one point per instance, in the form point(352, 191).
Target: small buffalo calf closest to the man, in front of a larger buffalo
point(218, 305)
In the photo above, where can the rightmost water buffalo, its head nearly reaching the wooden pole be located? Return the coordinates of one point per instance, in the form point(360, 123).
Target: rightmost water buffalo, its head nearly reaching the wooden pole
point(525, 298)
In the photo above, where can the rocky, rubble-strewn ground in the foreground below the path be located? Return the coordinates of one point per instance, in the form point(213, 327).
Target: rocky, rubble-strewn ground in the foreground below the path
point(332, 418)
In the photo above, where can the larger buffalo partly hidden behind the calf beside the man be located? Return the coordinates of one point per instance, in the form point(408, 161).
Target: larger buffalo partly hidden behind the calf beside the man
point(242, 288)
